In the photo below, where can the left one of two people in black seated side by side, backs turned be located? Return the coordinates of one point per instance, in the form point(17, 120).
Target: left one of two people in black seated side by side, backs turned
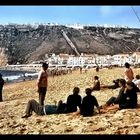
point(73, 101)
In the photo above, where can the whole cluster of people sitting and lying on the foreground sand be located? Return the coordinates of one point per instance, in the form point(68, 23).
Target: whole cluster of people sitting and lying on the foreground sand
point(127, 98)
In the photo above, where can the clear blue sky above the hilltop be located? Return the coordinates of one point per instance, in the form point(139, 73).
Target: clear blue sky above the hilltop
point(111, 15)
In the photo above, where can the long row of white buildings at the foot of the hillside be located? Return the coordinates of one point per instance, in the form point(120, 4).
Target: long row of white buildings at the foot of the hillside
point(93, 59)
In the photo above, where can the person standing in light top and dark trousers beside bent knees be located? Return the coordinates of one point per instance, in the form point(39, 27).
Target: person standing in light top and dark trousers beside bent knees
point(42, 83)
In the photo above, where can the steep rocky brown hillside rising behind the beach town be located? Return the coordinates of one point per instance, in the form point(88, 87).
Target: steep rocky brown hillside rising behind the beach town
point(26, 43)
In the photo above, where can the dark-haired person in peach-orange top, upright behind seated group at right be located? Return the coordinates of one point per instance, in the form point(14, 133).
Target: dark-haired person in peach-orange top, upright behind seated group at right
point(128, 73)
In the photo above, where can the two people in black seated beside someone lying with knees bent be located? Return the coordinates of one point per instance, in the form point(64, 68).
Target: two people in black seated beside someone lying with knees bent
point(74, 103)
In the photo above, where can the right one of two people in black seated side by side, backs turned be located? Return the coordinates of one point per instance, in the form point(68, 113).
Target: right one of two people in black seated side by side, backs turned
point(88, 103)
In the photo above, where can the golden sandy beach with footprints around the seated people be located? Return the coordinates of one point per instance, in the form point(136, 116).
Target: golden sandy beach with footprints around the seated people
point(16, 96)
